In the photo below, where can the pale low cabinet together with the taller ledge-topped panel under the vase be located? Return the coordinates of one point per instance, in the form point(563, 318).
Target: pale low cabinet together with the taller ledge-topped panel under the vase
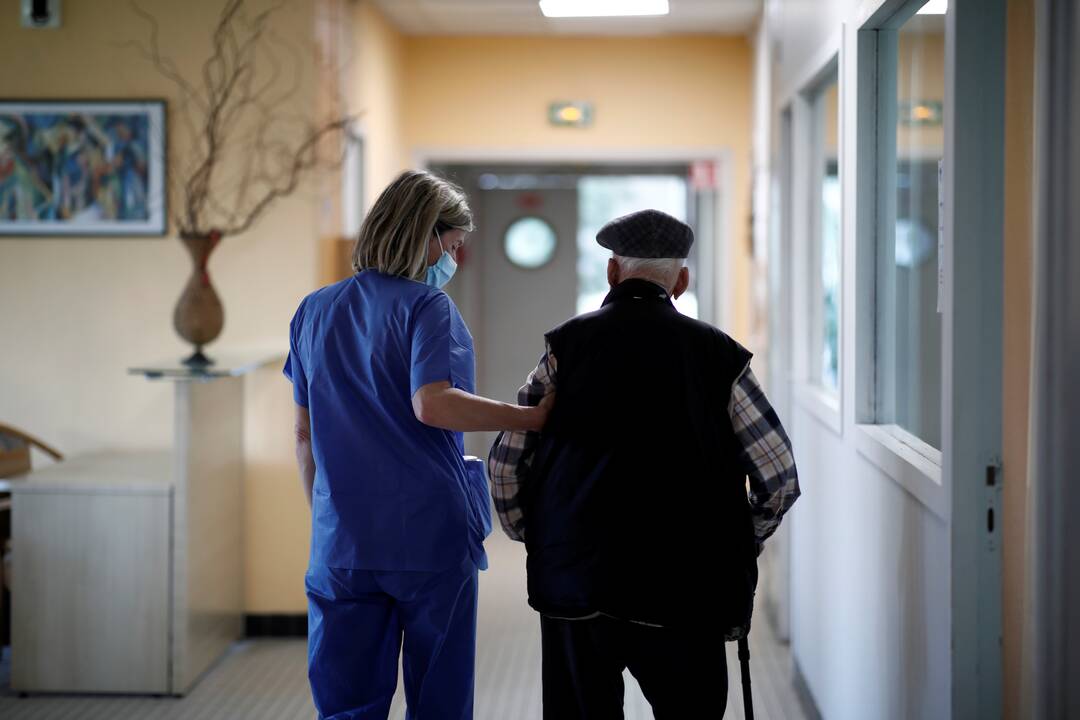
point(129, 566)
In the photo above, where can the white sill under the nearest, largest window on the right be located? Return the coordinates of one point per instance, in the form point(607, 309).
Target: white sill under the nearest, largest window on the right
point(912, 464)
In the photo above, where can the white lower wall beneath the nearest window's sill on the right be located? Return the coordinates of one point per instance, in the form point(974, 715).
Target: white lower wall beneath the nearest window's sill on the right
point(870, 575)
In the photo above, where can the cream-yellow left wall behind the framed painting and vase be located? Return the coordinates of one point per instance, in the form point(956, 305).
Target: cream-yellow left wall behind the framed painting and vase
point(75, 314)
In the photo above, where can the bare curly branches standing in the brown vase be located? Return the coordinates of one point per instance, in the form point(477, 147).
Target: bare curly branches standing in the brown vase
point(247, 153)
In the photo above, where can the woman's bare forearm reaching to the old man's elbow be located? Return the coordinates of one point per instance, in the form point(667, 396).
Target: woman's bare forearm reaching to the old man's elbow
point(442, 406)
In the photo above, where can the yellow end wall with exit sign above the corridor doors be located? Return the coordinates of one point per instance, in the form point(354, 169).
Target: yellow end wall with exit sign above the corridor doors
point(492, 93)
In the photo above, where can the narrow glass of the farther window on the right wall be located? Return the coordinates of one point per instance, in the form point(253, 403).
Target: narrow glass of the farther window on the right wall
point(826, 253)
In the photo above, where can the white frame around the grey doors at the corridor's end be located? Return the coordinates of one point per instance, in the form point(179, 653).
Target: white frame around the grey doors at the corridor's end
point(714, 266)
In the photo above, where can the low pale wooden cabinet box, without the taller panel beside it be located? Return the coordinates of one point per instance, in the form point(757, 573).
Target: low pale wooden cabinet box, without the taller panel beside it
point(91, 569)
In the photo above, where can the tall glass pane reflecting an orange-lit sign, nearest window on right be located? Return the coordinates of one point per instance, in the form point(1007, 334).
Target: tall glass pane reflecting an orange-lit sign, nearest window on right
point(915, 327)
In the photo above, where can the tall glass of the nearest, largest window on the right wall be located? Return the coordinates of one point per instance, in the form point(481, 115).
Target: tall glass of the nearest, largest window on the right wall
point(912, 87)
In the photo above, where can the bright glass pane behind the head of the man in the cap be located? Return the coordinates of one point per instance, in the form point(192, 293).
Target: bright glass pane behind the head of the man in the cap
point(603, 198)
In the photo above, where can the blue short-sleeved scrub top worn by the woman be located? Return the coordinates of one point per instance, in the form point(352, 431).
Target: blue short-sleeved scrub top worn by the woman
point(390, 493)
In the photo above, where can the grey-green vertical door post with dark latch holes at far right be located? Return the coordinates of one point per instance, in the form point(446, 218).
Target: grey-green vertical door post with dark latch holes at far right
point(975, 243)
